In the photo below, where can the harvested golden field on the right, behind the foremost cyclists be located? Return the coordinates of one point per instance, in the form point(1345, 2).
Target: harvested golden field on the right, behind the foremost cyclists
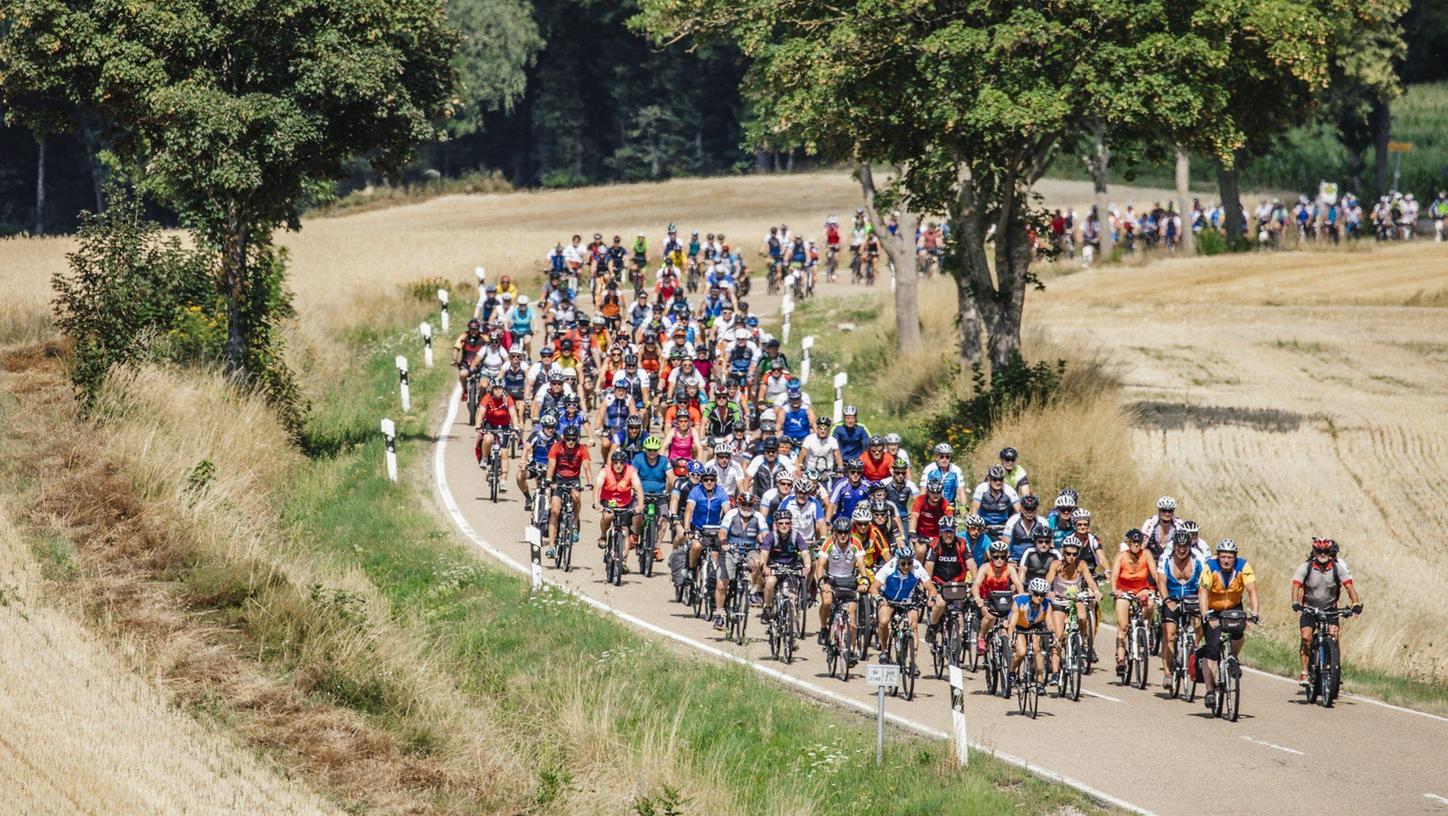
point(1292, 396)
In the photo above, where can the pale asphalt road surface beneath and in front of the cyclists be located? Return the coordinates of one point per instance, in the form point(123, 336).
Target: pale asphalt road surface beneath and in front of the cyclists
point(1137, 747)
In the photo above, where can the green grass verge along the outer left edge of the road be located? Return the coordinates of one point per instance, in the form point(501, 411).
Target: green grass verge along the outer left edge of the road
point(532, 656)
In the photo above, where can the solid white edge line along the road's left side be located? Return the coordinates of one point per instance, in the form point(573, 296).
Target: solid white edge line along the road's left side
point(451, 506)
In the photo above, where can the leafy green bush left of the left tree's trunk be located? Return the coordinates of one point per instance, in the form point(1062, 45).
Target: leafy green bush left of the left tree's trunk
point(128, 287)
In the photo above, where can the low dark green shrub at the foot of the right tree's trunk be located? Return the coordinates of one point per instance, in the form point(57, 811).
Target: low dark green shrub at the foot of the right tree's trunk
point(1014, 387)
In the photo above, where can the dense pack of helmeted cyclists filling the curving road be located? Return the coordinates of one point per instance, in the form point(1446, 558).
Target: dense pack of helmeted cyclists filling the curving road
point(715, 462)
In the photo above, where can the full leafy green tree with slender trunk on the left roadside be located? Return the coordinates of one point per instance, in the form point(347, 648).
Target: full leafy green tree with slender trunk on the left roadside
point(228, 112)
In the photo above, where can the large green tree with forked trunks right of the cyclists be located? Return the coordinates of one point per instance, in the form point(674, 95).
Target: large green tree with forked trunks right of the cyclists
point(971, 101)
